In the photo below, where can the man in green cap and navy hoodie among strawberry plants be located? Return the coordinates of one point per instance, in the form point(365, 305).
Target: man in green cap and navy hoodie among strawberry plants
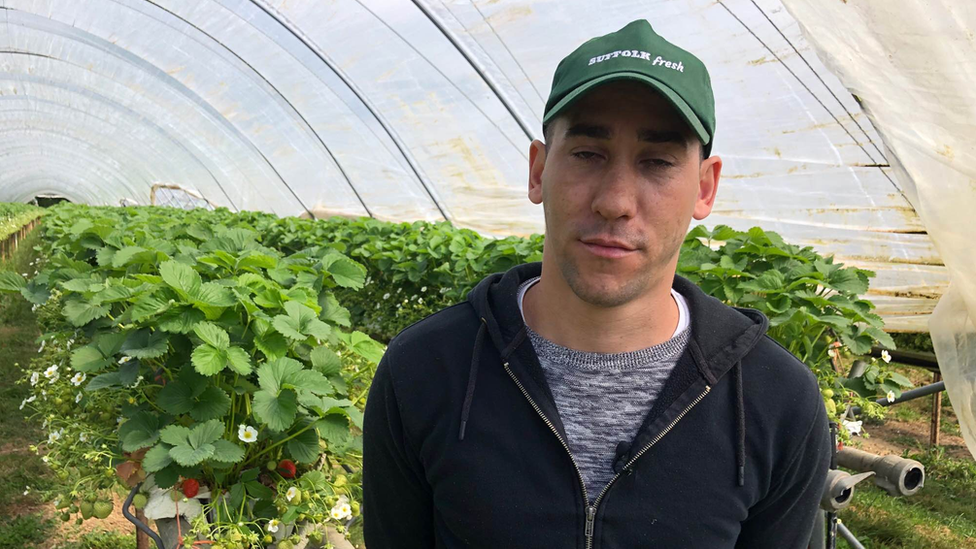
point(598, 400)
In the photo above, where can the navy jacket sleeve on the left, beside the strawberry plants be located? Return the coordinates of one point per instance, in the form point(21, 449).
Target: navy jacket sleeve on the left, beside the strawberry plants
point(397, 503)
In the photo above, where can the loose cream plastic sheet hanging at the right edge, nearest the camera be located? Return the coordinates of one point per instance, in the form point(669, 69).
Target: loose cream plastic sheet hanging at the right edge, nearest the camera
point(914, 65)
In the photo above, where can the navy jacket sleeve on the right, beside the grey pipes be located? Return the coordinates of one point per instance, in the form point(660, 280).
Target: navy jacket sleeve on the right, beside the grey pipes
point(785, 518)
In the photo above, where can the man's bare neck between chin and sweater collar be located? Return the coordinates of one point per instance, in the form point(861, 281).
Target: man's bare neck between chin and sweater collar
point(556, 313)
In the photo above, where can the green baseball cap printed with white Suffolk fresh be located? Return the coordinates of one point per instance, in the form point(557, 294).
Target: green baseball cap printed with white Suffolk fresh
point(636, 52)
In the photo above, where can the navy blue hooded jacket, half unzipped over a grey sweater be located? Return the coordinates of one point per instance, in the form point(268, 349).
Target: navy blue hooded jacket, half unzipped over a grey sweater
point(463, 445)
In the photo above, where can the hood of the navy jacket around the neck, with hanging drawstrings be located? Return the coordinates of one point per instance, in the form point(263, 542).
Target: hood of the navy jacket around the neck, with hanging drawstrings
point(720, 337)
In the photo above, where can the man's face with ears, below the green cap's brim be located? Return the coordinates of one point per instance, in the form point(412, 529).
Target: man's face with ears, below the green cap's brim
point(619, 183)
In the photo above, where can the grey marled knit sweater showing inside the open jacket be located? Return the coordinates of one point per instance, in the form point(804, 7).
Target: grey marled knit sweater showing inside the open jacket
point(602, 398)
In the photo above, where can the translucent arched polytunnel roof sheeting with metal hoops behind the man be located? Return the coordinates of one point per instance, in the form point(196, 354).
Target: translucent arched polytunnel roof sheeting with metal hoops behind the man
point(424, 109)
